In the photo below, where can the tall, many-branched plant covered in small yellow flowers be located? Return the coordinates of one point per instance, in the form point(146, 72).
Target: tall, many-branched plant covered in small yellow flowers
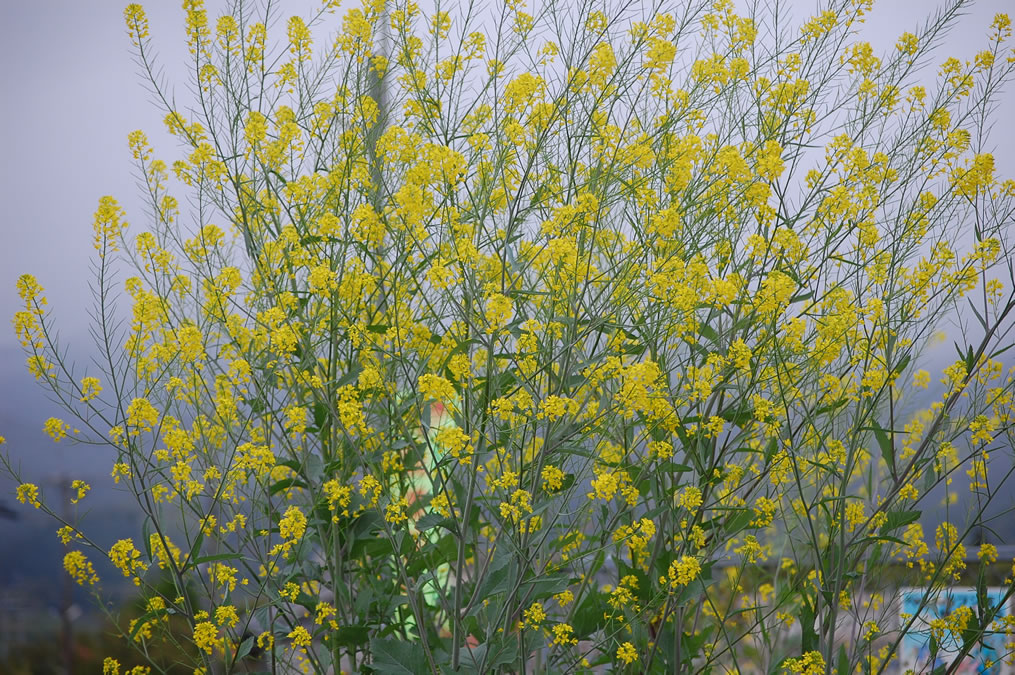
point(560, 339)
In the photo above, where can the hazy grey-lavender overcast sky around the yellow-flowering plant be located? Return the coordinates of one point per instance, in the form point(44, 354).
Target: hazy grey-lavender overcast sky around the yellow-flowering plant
point(71, 95)
